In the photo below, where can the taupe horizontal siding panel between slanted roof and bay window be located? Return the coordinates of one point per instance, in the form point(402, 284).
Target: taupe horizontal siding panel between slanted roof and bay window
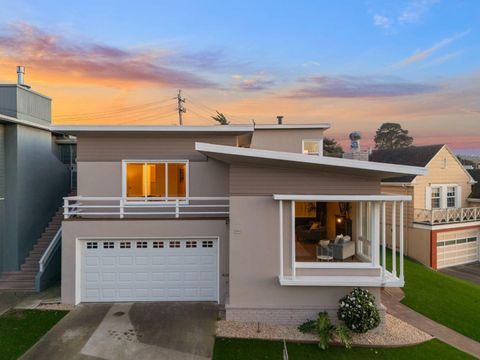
point(253, 180)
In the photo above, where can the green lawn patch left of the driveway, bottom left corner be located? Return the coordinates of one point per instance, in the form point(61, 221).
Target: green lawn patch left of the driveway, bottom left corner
point(21, 329)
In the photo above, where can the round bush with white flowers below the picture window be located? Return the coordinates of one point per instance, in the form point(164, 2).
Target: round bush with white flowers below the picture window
point(358, 311)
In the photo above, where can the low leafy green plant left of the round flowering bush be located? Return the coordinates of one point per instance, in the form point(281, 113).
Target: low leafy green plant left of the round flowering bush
point(325, 330)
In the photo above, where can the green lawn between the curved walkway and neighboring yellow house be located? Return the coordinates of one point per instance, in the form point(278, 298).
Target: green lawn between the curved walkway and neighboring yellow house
point(449, 301)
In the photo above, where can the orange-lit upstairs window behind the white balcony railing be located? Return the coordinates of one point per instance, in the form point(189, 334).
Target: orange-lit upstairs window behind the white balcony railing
point(157, 179)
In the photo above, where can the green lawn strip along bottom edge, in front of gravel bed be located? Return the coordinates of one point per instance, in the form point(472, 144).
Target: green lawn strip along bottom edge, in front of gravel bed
point(239, 349)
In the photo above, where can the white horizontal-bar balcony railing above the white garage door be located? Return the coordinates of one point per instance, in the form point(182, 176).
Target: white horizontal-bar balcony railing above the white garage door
point(158, 207)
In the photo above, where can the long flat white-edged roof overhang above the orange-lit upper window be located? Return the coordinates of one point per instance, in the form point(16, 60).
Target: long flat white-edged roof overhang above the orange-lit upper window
point(129, 129)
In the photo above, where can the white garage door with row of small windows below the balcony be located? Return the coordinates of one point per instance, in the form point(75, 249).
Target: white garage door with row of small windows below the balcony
point(149, 270)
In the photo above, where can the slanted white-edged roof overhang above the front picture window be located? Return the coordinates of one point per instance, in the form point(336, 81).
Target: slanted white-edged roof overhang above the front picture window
point(232, 154)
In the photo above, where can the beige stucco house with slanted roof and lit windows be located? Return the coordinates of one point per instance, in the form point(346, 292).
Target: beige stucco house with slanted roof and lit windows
point(250, 216)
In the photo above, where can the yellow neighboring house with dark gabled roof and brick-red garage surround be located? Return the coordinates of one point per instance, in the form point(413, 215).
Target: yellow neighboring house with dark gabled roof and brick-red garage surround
point(442, 226)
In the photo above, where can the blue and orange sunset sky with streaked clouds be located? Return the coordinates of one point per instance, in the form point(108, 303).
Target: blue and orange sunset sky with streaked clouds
point(354, 64)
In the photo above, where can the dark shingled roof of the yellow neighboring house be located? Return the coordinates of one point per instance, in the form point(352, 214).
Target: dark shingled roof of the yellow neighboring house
point(411, 156)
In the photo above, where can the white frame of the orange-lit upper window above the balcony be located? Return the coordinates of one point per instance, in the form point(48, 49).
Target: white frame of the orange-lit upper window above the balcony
point(183, 200)
